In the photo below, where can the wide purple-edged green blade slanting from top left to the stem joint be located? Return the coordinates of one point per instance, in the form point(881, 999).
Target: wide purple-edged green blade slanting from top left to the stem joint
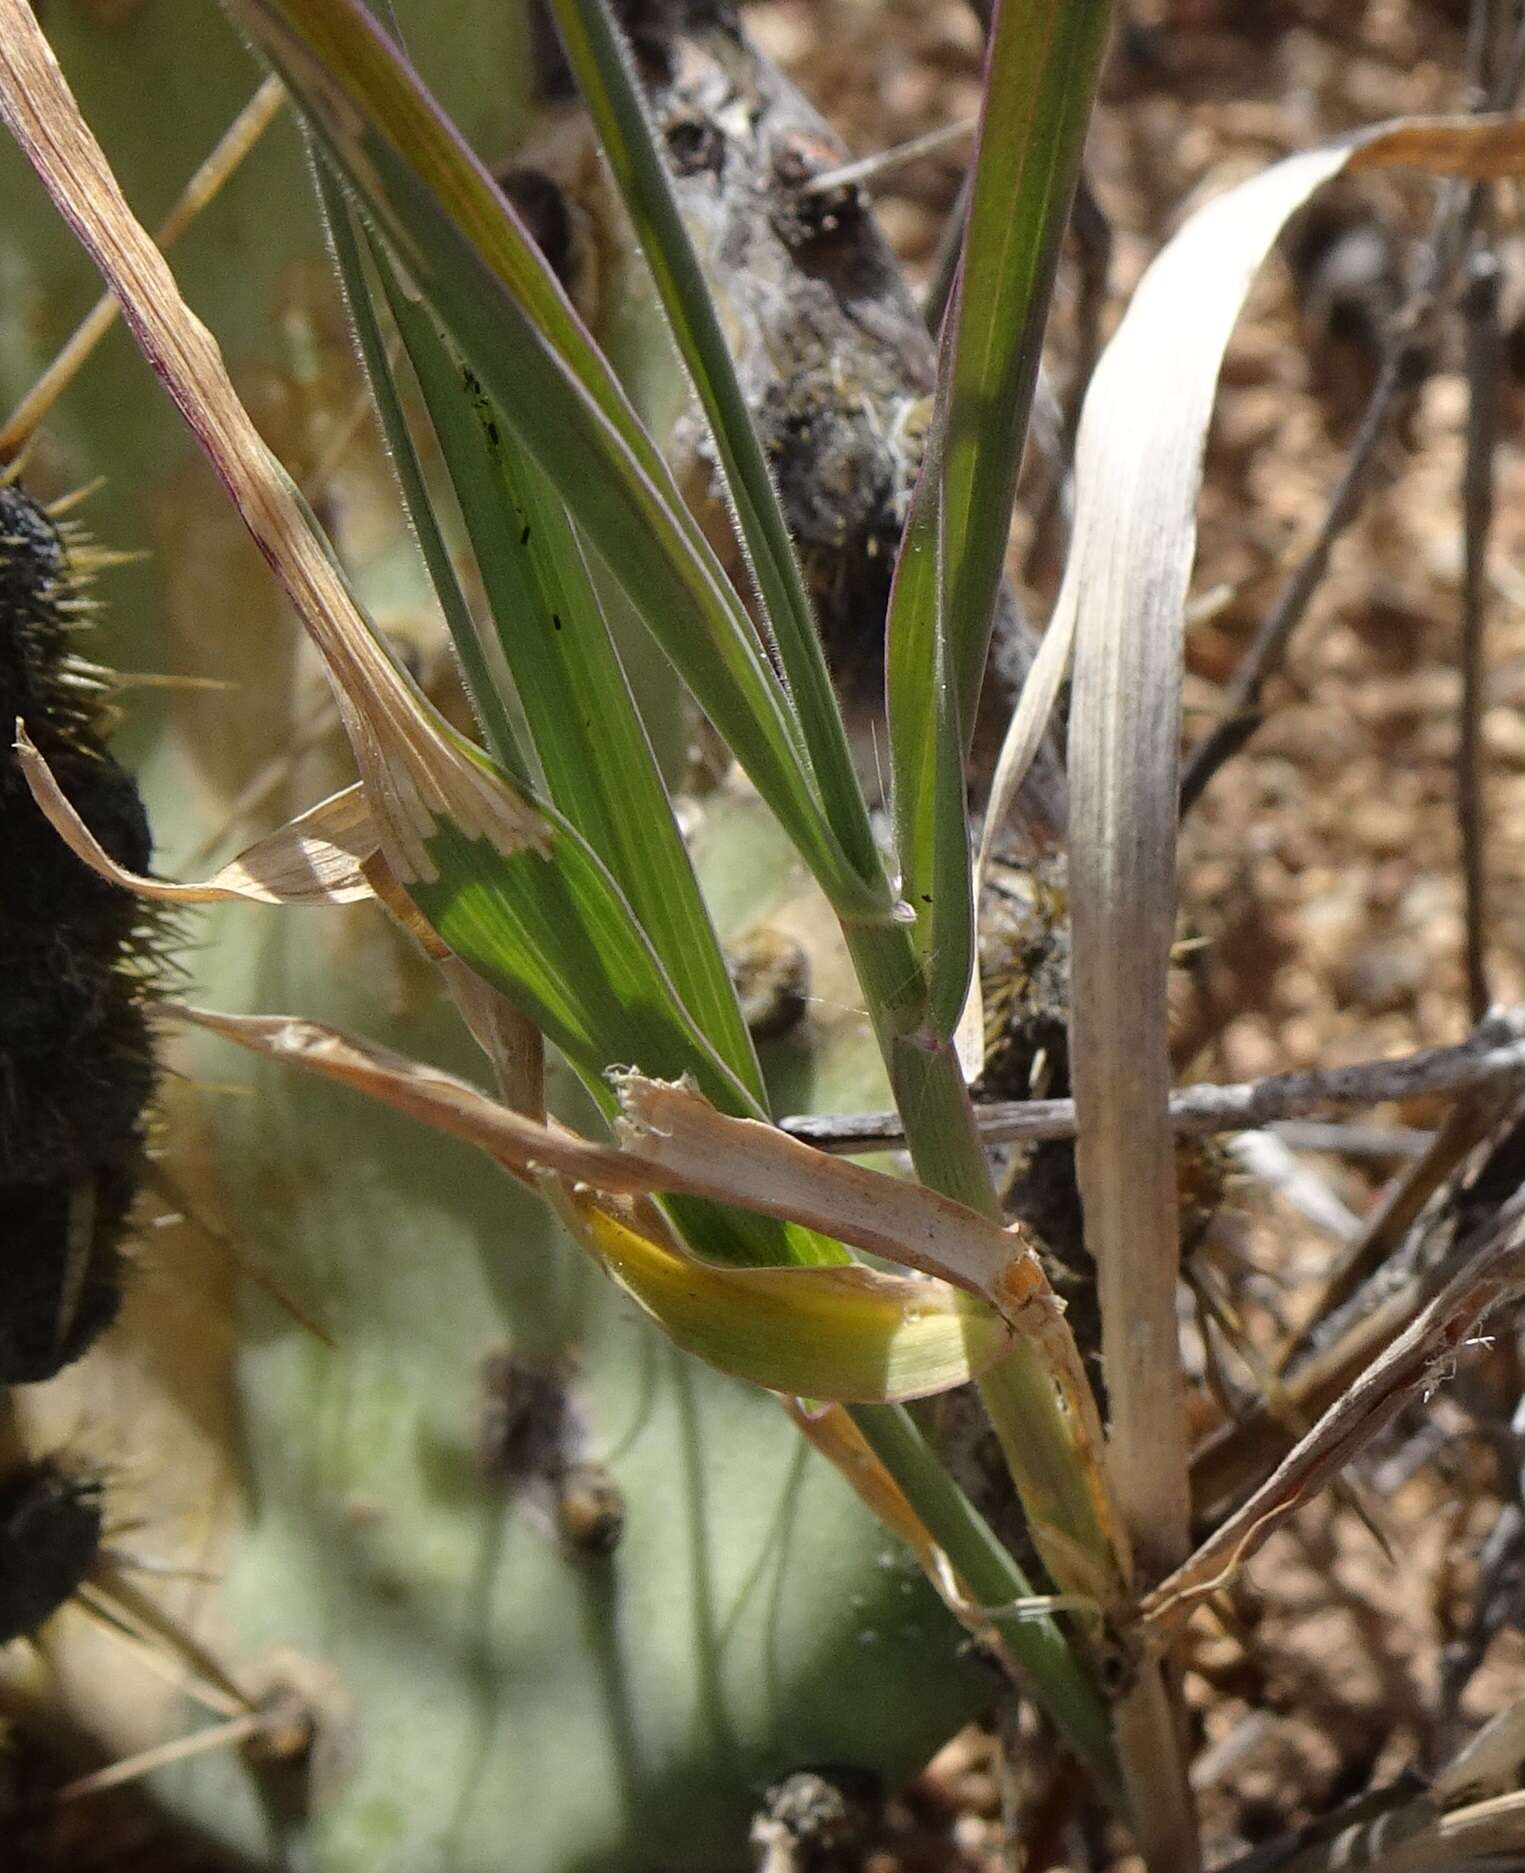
point(462, 248)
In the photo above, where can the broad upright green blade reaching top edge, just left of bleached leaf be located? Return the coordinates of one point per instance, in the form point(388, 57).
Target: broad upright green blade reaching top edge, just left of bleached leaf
point(1043, 68)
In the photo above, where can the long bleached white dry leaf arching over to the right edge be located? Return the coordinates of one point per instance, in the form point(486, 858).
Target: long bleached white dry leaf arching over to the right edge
point(1138, 475)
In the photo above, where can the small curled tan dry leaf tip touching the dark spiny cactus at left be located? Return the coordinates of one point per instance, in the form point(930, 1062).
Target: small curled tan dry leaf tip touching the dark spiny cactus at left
point(318, 859)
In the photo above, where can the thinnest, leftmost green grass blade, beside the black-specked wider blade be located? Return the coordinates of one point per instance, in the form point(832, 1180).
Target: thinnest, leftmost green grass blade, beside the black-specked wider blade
point(458, 615)
